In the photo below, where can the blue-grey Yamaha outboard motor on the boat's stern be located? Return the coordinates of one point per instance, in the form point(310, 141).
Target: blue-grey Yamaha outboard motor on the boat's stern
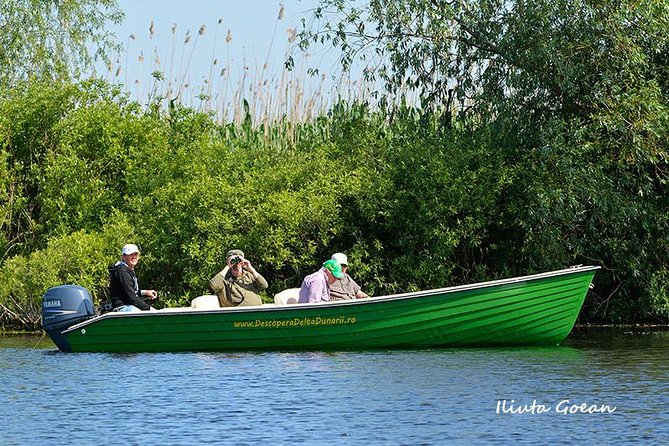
point(62, 307)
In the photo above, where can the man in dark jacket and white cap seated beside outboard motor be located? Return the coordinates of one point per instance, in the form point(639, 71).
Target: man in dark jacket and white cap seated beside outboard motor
point(123, 286)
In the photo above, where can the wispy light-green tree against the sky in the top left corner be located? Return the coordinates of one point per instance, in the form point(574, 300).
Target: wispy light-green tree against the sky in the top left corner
point(54, 39)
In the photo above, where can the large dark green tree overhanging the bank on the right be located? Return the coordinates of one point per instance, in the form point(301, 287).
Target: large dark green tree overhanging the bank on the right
point(573, 94)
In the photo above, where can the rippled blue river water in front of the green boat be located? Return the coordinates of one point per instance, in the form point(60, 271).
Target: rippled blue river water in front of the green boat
point(424, 397)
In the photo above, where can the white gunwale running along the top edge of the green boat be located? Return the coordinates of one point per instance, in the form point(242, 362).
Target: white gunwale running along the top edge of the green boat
point(340, 303)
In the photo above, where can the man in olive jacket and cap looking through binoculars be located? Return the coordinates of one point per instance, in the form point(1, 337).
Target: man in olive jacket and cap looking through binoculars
point(239, 283)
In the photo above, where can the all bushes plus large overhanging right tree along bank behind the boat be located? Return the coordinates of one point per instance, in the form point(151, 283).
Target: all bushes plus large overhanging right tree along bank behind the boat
point(539, 142)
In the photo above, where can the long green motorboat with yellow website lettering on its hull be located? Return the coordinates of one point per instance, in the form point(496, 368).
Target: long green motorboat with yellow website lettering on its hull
point(539, 309)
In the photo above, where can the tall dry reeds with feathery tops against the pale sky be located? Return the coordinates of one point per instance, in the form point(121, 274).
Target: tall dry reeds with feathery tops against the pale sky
point(232, 90)
